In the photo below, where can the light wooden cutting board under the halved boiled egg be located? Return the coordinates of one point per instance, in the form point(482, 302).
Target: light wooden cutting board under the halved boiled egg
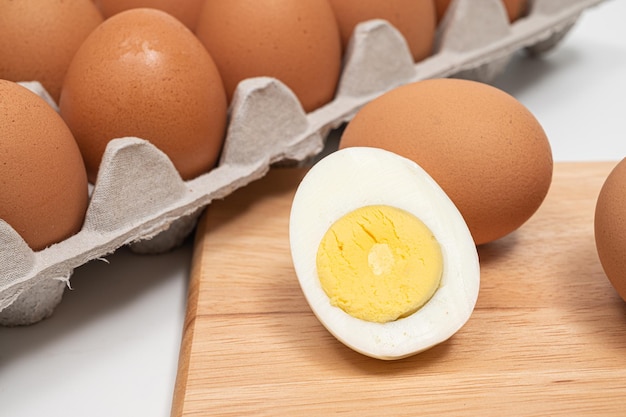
point(547, 337)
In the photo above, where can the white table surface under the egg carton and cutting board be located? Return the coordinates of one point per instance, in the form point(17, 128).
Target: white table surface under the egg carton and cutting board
point(111, 347)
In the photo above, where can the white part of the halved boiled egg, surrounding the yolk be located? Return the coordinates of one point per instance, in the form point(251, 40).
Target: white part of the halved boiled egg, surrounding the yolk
point(355, 177)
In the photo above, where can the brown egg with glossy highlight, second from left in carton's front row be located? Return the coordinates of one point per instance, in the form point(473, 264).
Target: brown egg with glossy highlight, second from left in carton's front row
point(143, 73)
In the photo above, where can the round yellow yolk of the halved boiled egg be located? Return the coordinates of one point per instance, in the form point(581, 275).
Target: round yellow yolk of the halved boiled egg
point(379, 263)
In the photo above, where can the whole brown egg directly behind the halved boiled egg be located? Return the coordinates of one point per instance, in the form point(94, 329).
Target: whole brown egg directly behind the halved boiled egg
point(483, 147)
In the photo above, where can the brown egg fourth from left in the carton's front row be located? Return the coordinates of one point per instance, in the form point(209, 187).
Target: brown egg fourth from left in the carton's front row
point(415, 19)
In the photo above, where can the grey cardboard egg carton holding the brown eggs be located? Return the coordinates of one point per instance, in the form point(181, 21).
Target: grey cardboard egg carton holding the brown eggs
point(139, 199)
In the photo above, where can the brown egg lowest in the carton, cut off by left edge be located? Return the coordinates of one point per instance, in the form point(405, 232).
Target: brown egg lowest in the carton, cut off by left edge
point(43, 184)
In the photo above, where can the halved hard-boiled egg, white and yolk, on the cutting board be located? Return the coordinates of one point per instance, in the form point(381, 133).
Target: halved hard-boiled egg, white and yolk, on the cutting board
point(383, 257)
